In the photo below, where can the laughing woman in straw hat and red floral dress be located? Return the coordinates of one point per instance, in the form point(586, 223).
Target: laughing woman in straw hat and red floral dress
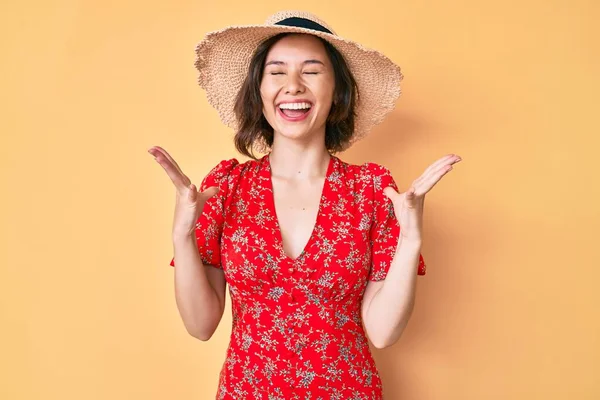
point(310, 245)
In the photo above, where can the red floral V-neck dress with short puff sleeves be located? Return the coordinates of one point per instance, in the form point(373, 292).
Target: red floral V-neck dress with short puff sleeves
point(297, 330)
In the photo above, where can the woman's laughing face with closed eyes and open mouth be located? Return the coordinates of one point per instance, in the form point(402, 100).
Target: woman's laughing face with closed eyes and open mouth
point(297, 87)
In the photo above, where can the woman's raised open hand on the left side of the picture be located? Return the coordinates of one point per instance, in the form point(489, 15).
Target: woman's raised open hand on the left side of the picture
point(189, 201)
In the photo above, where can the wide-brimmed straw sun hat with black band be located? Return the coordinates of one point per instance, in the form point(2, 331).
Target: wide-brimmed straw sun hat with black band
point(223, 58)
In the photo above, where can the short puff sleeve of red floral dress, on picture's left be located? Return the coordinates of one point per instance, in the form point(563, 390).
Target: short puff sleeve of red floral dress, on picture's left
point(210, 222)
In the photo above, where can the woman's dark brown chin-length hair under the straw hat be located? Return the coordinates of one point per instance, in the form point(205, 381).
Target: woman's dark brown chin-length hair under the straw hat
point(252, 124)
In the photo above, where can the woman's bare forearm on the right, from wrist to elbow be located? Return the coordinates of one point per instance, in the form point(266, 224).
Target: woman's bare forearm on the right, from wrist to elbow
point(392, 306)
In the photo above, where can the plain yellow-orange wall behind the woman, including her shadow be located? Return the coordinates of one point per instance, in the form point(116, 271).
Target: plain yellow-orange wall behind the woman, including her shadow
point(509, 306)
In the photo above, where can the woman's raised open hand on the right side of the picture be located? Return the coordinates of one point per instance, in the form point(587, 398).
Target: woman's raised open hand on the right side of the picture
point(408, 206)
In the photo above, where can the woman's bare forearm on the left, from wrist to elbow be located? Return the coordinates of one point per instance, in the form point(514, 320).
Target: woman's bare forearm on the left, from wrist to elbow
point(197, 301)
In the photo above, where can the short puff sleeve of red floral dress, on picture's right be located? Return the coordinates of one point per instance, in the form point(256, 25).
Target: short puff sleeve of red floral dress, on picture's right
point(385, 229)
